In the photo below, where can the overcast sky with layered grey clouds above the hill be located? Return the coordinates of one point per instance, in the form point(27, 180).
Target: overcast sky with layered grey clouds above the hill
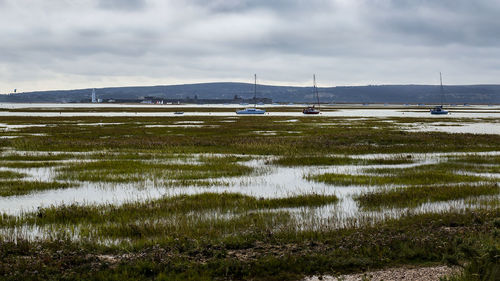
point(71, 44)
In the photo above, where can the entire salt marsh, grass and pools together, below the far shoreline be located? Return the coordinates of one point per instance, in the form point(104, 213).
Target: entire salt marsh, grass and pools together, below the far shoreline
point(111, 181)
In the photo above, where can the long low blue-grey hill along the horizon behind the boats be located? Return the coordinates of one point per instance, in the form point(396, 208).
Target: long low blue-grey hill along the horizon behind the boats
point(473, 94)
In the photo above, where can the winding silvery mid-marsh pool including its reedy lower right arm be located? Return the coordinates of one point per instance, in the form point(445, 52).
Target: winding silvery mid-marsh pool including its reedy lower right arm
point(269, 181)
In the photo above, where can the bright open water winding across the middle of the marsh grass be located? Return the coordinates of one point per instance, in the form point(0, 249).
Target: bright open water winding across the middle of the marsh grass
point(270, 182)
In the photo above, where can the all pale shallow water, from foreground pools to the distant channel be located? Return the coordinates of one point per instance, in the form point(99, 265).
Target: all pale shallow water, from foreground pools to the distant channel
point(269, 181)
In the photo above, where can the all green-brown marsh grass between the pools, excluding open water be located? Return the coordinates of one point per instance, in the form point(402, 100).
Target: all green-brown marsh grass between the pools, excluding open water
point(232, 236)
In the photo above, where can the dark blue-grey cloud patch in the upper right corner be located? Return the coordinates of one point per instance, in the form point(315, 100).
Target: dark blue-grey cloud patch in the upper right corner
point(442, 22)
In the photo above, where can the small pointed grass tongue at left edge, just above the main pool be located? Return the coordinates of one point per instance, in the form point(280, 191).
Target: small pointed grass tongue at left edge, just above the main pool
point(11, 188)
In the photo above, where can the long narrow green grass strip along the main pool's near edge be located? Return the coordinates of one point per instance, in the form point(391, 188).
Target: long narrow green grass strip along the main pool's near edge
point(164, 207)
